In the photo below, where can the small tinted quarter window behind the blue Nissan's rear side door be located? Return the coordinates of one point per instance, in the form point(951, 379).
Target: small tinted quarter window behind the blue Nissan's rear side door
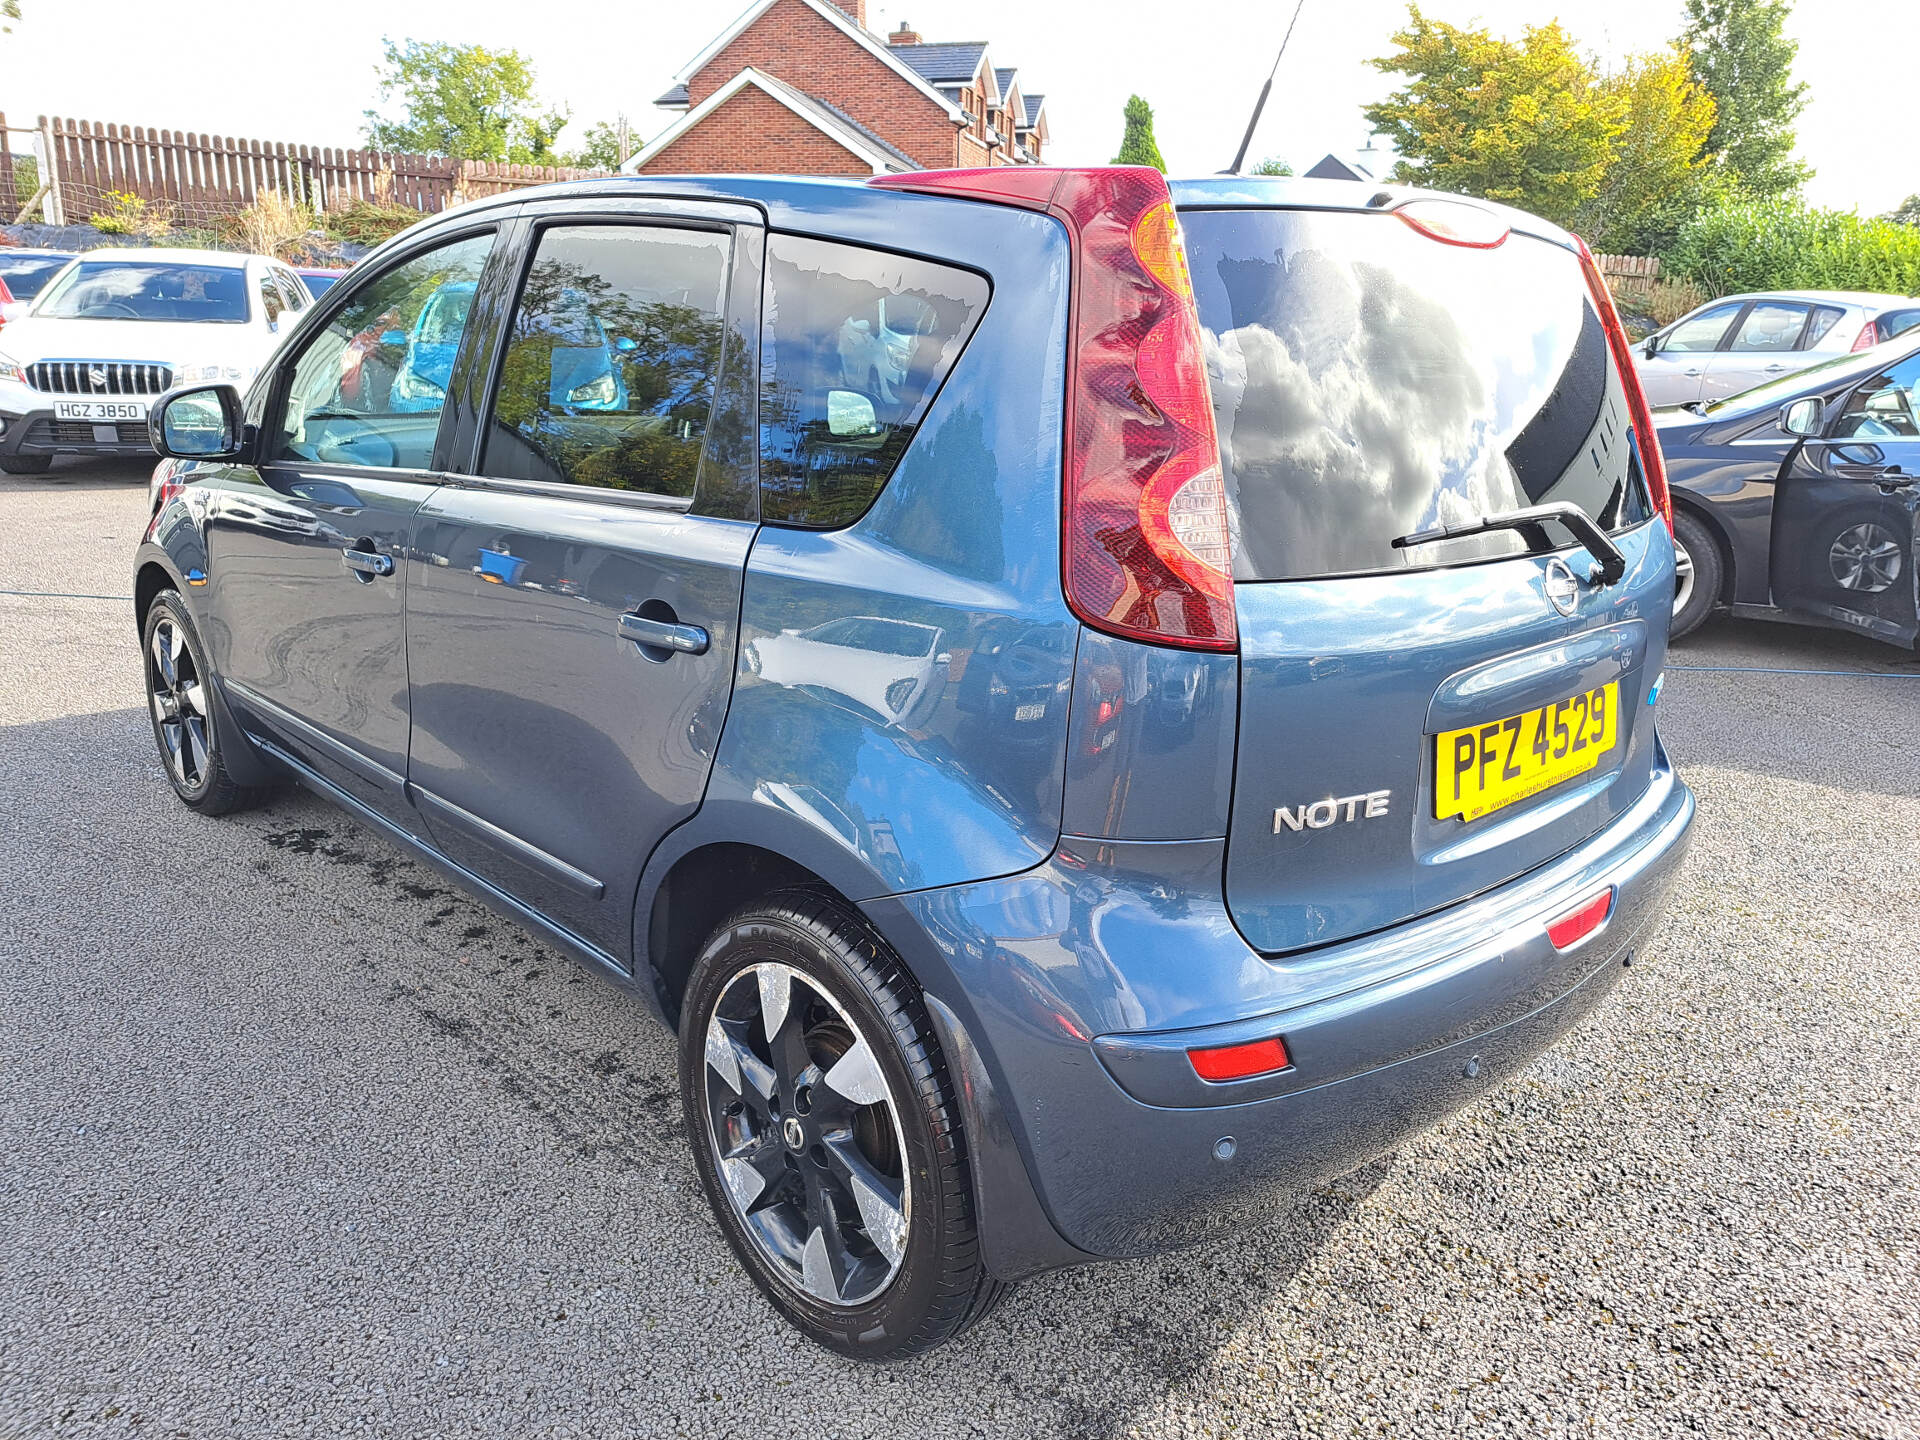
point(855, 345)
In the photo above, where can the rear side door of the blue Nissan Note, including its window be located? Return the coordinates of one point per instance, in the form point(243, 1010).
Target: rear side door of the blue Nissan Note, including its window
point(573, 608)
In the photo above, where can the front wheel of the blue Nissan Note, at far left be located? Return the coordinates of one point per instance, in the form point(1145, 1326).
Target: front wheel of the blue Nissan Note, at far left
point(181, 709)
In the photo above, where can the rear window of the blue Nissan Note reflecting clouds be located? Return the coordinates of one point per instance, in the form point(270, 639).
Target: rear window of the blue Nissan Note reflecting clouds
point(1372, 383)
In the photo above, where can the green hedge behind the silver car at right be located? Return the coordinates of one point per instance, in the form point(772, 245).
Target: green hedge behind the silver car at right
point(1781, 245)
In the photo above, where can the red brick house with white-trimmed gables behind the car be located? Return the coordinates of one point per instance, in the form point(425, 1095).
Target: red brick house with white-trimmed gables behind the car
point(802, 87)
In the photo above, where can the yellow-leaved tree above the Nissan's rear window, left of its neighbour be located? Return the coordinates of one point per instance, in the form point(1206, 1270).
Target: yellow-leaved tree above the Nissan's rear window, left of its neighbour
point(1527, 124)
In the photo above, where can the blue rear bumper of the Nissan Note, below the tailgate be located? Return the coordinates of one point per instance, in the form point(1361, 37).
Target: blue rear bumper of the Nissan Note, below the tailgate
point(1124, 1147)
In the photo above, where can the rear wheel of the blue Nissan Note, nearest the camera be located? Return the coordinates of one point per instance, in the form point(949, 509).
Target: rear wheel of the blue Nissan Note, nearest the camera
point(819, 1103)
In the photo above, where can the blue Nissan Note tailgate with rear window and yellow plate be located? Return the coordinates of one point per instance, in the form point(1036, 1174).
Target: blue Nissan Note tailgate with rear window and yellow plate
point(1420, 723)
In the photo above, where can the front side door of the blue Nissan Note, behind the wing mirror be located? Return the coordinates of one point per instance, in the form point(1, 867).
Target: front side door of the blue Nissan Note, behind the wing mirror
point(306, 548)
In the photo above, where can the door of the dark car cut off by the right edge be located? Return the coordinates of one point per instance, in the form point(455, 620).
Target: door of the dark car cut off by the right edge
point(1844, 514)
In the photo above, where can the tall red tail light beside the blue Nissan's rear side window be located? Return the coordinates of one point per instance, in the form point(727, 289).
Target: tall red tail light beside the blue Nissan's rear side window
point(1147, 548)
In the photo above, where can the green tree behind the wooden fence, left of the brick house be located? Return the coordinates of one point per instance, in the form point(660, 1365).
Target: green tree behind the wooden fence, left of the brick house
point(464, 101)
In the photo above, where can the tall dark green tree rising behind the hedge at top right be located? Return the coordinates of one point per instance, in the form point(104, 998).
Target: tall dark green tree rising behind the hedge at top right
point(1746, 64)
